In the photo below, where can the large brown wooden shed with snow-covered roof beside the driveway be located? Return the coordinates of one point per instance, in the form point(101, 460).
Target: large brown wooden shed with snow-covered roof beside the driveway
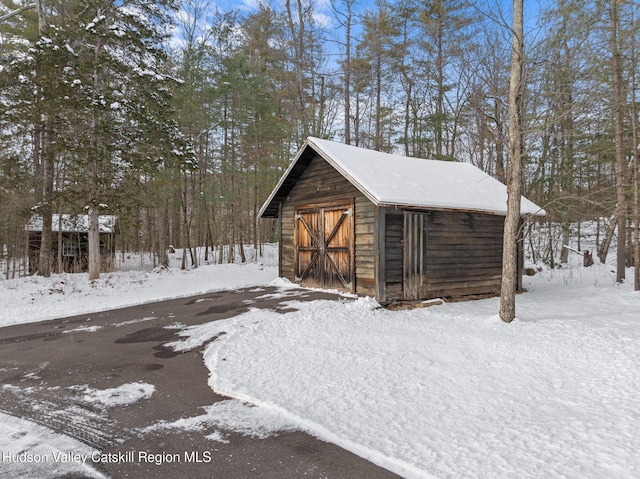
point(389, 226)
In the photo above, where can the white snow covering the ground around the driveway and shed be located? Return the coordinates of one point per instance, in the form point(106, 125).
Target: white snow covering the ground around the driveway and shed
point(446, 391)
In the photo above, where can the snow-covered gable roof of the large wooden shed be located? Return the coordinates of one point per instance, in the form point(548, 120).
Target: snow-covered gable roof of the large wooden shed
point(394, 180)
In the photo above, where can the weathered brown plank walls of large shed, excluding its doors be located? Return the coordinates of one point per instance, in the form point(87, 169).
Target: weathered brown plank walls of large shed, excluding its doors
point(464, 250)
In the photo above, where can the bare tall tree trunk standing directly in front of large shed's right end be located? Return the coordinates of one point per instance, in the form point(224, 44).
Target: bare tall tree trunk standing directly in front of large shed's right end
point(514, 180)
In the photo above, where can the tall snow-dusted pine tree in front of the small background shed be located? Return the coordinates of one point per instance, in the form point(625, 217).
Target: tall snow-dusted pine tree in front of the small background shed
point(101, 101)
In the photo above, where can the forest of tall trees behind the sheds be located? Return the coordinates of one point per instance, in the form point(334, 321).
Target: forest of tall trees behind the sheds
point(180, 118)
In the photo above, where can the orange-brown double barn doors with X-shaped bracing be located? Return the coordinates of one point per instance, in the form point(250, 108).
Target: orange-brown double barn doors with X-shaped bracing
point(324, 246)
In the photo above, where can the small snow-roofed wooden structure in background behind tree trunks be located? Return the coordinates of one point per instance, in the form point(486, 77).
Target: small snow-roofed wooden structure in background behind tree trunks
point(69, 241)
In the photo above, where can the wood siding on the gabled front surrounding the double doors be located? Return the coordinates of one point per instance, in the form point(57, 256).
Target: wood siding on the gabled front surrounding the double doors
point(319, 185)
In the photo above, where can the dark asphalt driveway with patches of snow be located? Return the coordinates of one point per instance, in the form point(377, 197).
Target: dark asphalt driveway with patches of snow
point(44, 367)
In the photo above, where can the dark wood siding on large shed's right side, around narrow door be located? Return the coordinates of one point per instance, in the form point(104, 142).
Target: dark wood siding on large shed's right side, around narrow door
point(464, 254)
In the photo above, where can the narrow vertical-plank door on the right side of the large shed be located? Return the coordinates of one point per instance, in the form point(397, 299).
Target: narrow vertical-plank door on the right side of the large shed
point(415, 256)
